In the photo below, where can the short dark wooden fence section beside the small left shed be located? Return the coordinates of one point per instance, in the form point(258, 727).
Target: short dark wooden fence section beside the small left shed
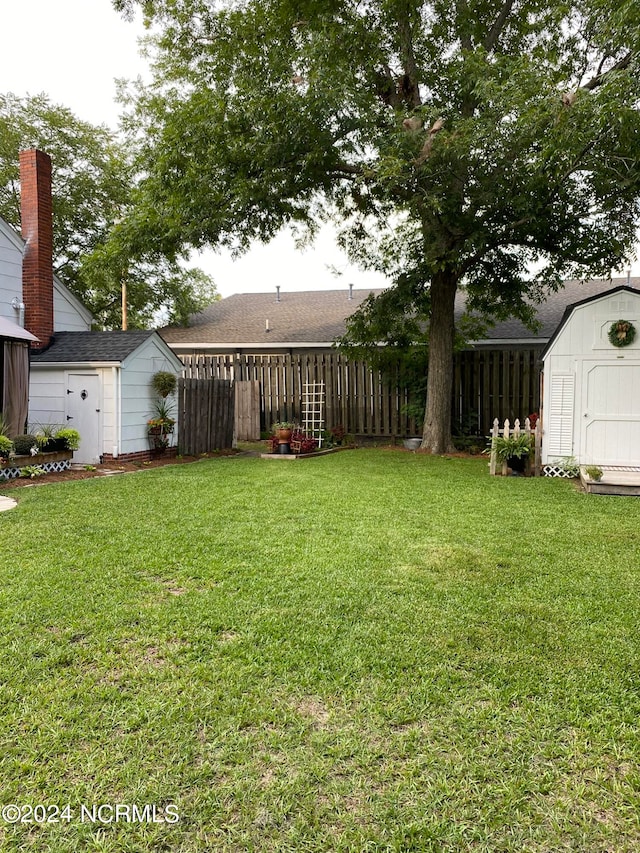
point(205, 415)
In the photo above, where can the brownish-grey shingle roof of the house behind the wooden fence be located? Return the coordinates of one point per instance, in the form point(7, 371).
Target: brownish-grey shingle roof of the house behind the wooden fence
point(318, 316)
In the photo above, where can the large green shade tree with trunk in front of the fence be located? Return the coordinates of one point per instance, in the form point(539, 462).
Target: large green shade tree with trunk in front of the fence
point(490, 146)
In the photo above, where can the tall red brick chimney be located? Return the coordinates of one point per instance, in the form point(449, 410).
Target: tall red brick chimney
point(37, 231)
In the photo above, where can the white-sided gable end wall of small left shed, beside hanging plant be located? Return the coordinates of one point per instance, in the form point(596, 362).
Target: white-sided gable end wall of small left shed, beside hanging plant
point(137, 397)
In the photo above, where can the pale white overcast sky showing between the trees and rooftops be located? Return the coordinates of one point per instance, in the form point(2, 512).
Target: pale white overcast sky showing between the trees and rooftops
point(73, 50)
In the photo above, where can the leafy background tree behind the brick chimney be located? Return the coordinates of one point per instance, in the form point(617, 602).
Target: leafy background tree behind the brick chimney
point(92, 184)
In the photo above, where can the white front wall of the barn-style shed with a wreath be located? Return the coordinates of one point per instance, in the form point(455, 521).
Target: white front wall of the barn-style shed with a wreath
point(581, 345)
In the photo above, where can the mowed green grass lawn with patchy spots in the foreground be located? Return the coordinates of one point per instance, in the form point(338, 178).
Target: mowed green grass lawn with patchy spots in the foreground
point(370, 651)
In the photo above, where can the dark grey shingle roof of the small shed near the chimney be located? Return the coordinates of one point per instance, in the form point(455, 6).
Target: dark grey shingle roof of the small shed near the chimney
point(85, 347)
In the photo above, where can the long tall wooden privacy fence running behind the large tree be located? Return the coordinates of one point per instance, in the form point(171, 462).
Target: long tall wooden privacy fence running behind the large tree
point(487, 383)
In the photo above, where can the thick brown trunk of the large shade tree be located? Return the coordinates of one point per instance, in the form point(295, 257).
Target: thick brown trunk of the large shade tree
point(436, 434)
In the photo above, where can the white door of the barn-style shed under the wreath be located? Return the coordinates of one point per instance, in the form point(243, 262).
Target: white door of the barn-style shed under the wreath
point(610, 432)
